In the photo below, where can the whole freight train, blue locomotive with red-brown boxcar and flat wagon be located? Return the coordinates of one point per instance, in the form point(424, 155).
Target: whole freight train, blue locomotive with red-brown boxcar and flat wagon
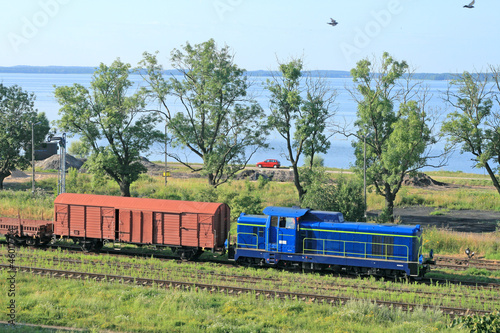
point(281, 237)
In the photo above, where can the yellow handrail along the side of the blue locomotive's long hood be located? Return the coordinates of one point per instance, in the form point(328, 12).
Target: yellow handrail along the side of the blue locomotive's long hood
point(343, 252)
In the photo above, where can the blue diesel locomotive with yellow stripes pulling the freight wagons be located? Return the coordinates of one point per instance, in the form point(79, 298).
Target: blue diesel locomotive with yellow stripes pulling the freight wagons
point(318, 240)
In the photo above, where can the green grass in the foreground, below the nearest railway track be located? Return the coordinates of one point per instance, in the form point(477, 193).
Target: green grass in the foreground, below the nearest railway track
point(112, 306)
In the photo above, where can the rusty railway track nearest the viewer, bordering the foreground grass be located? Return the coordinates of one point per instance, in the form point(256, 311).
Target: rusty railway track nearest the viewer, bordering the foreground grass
point(232, 290)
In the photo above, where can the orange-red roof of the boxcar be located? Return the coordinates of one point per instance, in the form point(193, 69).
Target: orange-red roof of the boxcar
point(158, 205)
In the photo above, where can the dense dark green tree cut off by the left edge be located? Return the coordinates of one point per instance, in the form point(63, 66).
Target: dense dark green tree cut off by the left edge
point(17, 113)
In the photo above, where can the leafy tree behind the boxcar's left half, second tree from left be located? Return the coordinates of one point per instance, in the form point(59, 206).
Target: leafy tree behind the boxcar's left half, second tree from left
point(111, 122)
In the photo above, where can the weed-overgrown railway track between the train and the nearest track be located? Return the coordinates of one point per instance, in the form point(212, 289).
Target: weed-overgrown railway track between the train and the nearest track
point(202, 275)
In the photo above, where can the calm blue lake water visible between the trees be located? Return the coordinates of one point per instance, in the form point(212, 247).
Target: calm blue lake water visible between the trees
point(340, 155)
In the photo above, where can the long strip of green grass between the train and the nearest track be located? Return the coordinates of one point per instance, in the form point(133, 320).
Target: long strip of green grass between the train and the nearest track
point(208, 273)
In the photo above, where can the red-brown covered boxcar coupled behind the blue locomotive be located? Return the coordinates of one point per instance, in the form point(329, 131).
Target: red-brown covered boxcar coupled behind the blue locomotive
point(91, 219)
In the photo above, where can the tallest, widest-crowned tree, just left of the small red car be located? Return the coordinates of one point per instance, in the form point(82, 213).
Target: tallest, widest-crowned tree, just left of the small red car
point(218, 121)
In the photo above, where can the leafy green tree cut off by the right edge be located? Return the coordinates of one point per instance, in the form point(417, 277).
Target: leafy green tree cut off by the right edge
point(475, 123)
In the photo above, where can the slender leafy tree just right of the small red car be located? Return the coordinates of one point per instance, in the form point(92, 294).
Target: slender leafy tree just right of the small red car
point(301, 121)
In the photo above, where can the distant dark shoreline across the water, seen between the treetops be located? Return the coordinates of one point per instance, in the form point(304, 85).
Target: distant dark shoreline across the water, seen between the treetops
point(91, 70)
